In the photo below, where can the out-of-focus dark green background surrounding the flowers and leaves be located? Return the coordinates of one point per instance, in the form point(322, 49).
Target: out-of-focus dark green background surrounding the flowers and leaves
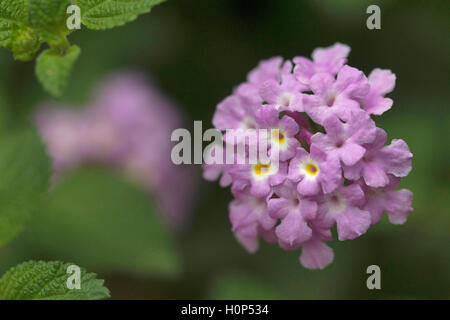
point(198, 51)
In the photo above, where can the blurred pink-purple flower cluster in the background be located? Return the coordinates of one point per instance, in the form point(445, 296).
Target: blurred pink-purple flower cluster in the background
point(126, 128)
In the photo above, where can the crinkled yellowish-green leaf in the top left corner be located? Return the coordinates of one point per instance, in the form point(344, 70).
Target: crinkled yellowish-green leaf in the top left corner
point(15, 33)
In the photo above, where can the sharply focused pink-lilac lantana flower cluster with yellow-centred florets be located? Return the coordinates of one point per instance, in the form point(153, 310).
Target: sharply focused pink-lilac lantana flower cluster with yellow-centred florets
point(335, 166)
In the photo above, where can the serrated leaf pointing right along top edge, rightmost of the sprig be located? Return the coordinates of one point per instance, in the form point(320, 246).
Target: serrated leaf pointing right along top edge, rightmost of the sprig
point(105, 14)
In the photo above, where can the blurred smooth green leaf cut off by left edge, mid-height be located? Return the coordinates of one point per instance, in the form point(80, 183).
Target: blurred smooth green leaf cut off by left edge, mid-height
point(24, 171)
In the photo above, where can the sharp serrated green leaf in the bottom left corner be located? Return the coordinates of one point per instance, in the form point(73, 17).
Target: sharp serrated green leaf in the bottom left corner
point(48, 281)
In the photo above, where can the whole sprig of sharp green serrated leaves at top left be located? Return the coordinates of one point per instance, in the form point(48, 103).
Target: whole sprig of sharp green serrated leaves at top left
point(26, 24)
